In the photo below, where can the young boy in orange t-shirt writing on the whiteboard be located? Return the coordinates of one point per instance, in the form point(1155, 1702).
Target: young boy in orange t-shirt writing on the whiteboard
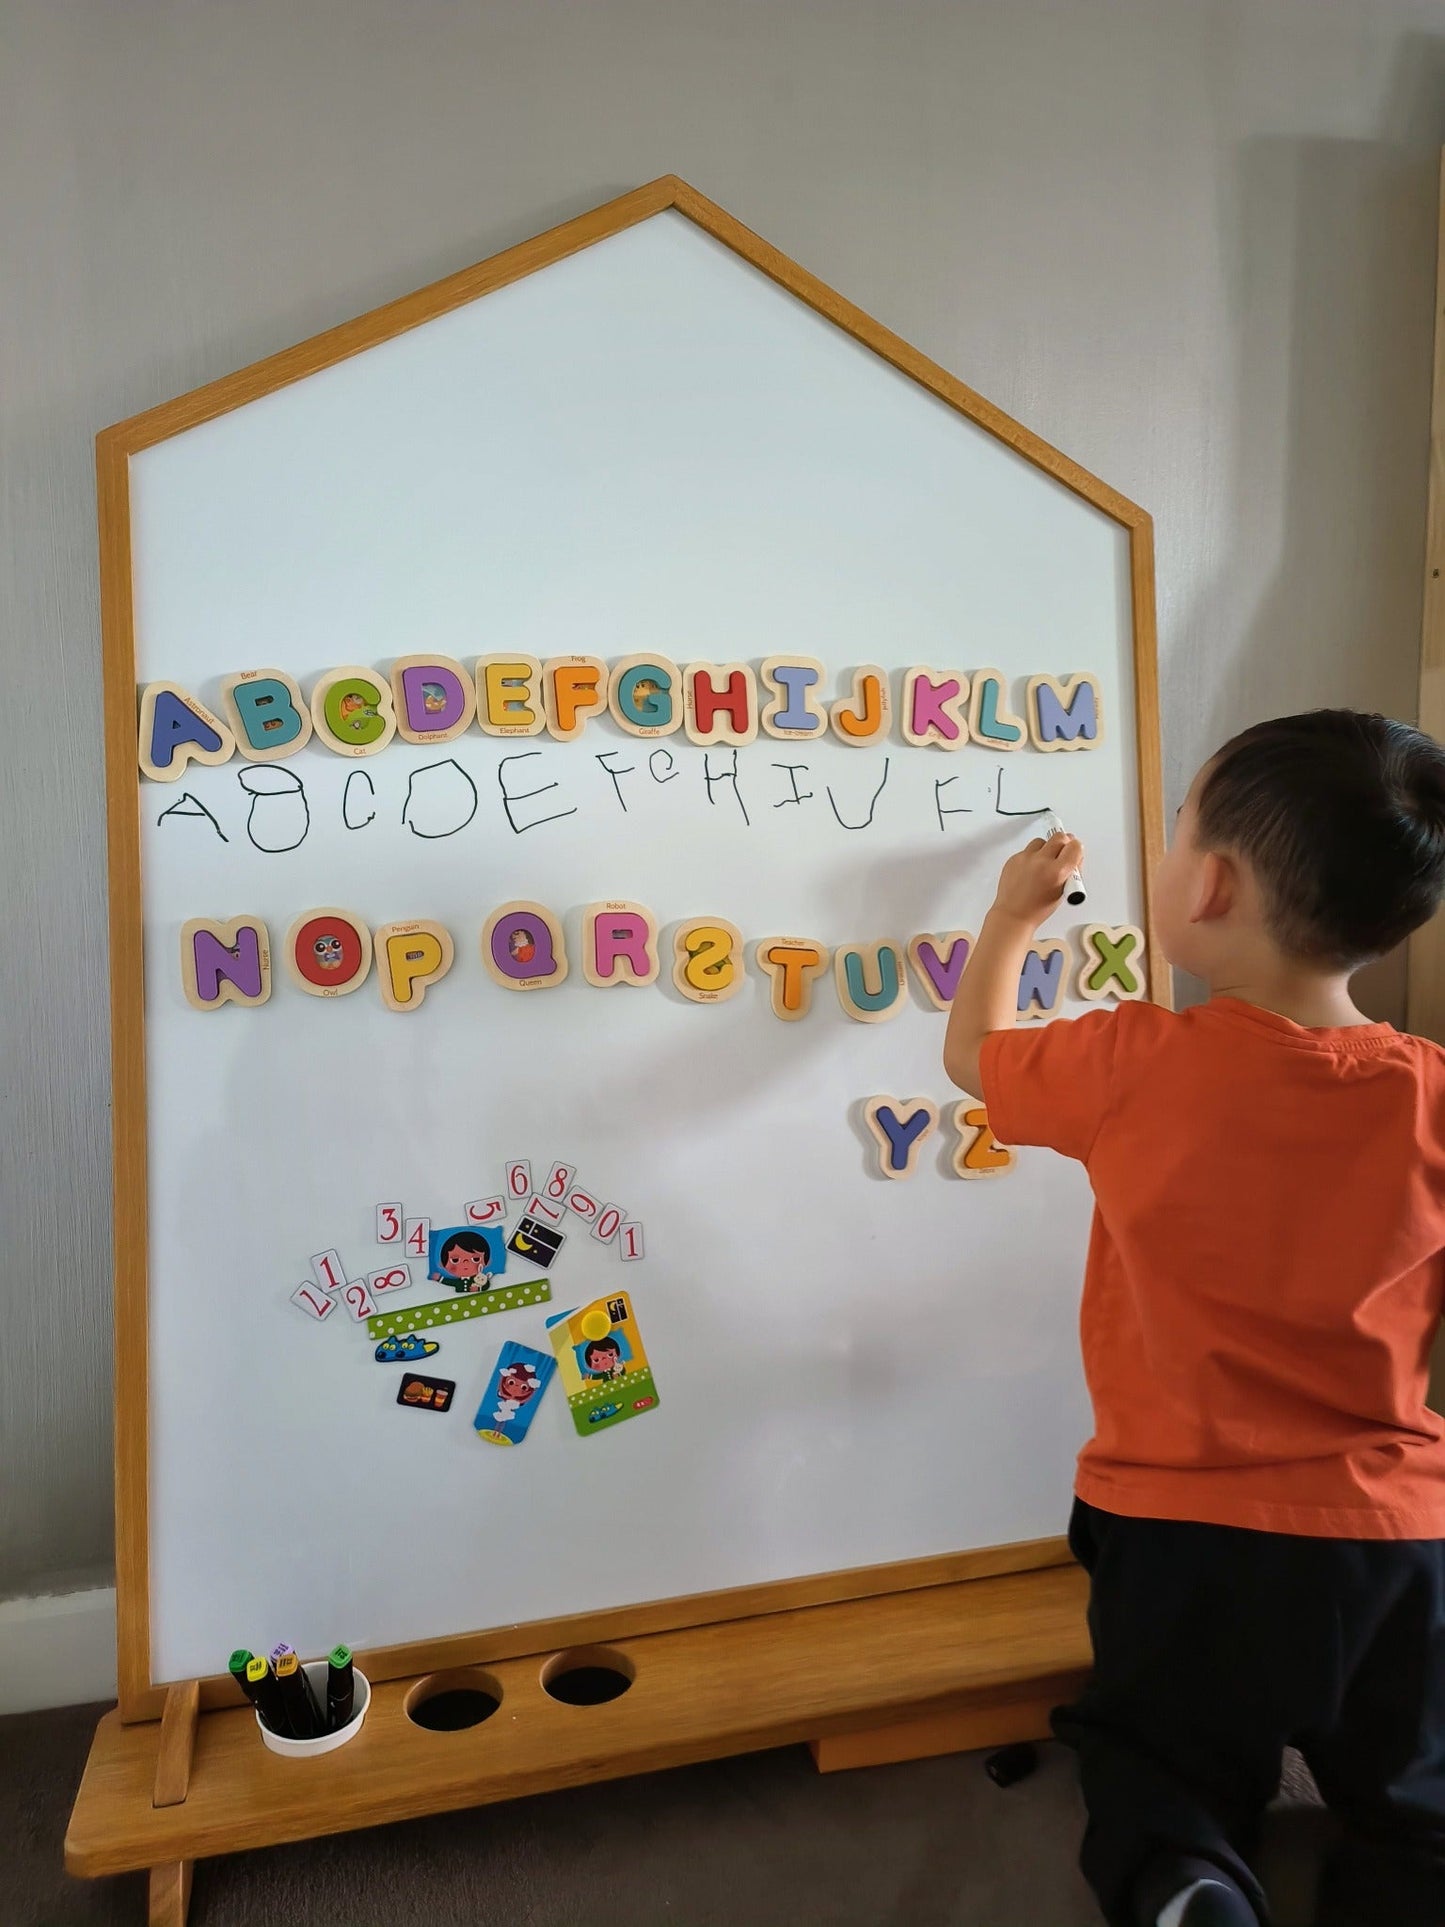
point(1263, 1504)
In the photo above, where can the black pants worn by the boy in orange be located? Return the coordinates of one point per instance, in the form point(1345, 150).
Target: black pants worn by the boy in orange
point(1213, 1650)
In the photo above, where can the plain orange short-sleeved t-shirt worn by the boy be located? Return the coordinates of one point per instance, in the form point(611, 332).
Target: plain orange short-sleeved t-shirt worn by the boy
point(1267, 1261)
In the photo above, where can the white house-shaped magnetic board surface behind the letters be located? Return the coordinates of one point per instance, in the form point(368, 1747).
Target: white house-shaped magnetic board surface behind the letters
point(646, 446)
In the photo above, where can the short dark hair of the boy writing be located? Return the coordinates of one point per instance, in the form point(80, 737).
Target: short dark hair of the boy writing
point(1342, 818)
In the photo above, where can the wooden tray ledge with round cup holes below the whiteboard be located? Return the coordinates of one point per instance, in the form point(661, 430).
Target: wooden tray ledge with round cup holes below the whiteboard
point(905, 1662)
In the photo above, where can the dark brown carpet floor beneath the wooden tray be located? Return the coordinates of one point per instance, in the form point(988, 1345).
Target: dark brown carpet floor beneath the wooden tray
point(760, 1841)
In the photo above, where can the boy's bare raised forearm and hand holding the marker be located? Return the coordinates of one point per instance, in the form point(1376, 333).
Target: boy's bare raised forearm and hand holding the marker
point(987, 997)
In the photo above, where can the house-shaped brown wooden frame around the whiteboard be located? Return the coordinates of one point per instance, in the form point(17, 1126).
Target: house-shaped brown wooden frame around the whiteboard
point(142, 1697)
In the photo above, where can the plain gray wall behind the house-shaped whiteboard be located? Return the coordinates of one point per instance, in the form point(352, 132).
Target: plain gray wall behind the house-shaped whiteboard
point(1192, 242)
